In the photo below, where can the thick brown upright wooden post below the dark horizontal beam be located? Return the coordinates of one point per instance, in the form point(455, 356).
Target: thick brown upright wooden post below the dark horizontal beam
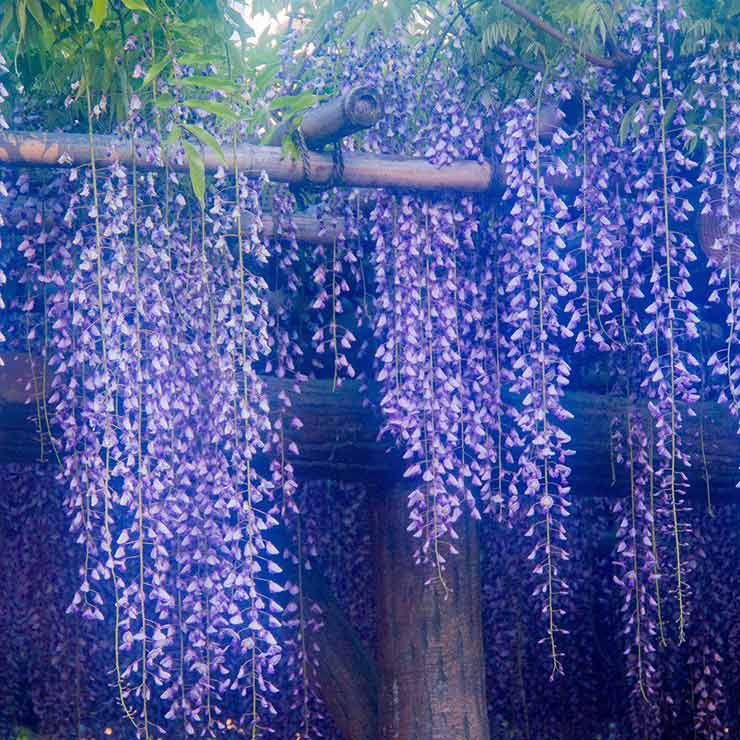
point(431, 665)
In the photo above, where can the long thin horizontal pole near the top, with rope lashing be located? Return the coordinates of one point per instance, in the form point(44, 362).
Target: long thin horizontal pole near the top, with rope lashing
point(360, 170)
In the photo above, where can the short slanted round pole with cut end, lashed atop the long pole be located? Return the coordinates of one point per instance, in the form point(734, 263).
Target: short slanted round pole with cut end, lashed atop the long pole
point(359, 108)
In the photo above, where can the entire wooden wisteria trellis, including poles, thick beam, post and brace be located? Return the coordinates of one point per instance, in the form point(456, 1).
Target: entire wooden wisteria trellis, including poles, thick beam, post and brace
point(428, 681)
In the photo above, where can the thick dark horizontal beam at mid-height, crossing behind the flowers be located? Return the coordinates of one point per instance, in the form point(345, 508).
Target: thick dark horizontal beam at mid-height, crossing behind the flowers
point(339, 438)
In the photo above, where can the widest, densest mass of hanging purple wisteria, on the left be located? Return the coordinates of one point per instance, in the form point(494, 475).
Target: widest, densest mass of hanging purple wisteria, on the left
point(157, 324)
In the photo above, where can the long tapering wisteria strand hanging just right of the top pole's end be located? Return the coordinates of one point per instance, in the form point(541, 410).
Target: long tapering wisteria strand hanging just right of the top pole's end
point(535, 269)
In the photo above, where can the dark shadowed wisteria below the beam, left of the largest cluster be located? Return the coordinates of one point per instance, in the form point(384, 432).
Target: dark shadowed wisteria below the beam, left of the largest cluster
point(53, 664)
